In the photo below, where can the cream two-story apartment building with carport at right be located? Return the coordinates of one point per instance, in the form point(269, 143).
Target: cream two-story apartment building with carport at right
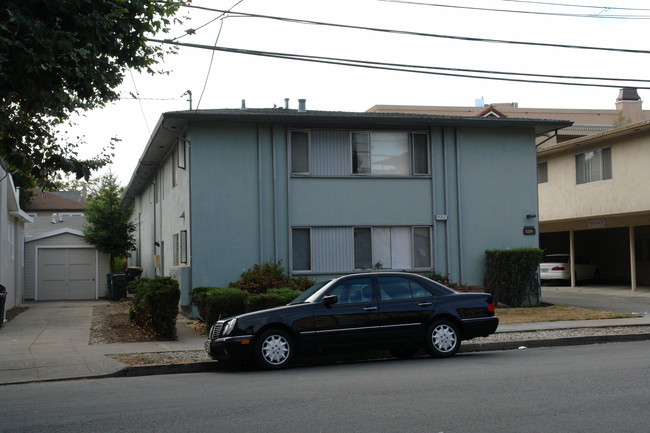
point(594, 200)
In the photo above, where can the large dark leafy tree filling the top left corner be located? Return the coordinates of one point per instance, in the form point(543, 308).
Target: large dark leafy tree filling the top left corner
point(63, 57)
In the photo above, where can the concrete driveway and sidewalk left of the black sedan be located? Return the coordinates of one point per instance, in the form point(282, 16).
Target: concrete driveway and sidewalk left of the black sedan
point(50, 340)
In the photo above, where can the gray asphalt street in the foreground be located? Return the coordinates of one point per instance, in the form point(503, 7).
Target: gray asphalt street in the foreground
point(596, 388)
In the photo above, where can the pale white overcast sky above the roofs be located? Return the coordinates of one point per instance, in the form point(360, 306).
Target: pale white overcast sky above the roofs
point(221, 80)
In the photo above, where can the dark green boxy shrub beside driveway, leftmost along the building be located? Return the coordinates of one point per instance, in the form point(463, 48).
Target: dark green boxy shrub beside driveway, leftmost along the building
point(155, 305)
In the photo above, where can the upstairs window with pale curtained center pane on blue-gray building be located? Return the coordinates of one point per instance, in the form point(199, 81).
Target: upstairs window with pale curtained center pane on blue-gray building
point(390, 153)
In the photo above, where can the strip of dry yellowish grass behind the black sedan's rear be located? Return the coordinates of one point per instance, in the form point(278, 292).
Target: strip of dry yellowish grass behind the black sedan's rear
point(554, 313)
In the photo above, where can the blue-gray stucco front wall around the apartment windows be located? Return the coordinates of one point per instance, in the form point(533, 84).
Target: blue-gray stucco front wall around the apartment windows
point(243, 202)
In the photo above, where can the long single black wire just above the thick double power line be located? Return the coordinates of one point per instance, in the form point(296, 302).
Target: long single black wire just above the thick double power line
point(411, 33)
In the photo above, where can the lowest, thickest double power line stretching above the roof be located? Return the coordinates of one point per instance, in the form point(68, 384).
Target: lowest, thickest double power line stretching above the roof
point(452, 72)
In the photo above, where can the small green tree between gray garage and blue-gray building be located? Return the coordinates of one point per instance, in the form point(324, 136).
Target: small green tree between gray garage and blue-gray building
point(108, 225)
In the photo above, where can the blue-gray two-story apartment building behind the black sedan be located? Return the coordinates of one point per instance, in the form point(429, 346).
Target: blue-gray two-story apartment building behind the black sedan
point(327, 193)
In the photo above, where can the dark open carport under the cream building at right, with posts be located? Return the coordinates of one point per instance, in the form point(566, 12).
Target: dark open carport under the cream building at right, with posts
point(619, 245)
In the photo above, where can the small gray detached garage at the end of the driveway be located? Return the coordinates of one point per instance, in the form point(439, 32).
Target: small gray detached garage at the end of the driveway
point(60, 265)
